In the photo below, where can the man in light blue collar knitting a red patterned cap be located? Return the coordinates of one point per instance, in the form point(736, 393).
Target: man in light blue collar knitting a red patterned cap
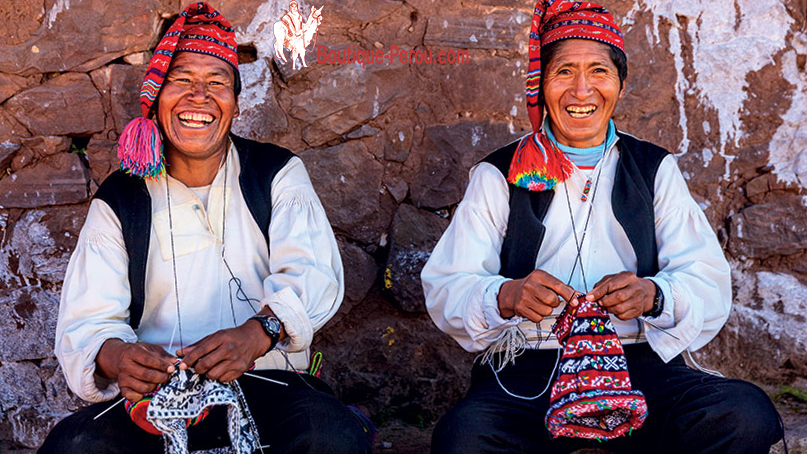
point(580, 265)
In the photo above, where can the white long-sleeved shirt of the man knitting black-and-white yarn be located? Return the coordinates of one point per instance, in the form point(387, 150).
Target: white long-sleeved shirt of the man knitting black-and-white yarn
point(300, 278)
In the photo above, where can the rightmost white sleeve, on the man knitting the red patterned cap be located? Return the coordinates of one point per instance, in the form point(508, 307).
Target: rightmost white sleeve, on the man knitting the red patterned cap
point(694, 274)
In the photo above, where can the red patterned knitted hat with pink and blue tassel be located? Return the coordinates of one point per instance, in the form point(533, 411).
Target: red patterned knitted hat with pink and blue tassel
point(200, 29)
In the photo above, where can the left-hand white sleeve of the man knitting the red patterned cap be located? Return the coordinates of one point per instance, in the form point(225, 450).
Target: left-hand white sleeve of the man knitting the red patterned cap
point(461, 279)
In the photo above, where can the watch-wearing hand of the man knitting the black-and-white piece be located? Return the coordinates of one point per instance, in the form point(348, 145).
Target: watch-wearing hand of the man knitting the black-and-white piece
point(226, 354)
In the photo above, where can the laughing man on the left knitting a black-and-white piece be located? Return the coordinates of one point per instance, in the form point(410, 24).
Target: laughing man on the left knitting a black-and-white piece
point(200, 276)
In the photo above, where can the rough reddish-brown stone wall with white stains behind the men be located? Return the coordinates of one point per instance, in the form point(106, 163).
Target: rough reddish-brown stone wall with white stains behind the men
point(722, 84)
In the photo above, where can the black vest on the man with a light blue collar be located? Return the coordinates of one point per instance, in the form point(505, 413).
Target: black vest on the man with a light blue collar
point(631, 200)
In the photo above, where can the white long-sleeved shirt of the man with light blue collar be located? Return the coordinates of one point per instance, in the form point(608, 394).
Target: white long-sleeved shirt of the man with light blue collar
point(461, 279)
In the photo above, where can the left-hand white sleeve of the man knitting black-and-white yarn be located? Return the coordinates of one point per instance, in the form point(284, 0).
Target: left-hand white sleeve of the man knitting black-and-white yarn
point(94, 303)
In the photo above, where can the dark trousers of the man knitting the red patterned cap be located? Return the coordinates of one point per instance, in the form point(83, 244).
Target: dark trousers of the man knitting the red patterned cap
point(688, 412)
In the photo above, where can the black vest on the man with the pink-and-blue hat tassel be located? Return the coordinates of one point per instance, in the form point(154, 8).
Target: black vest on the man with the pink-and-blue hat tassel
point(129, 199)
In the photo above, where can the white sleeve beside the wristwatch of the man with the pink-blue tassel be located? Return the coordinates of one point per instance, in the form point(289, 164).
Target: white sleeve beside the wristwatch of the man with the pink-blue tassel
point(306, 284)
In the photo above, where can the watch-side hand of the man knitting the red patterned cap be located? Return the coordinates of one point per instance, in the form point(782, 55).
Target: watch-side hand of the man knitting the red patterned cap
point(624, 295)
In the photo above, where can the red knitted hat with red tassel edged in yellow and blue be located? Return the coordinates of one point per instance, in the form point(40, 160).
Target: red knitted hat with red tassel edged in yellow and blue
point(537, 164)
